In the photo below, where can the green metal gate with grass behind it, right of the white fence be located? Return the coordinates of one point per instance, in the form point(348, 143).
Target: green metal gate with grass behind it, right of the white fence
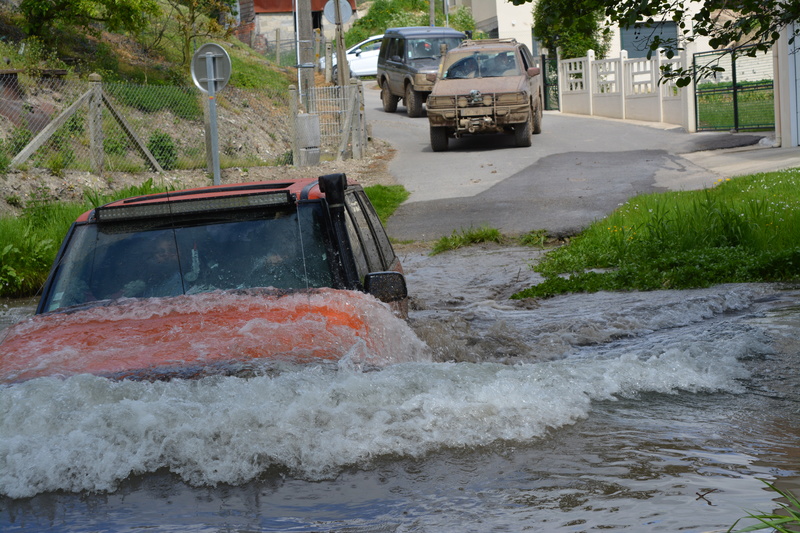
point(741, 97)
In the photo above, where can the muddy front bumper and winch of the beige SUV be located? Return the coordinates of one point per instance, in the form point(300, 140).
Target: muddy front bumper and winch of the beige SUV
point(478, 112)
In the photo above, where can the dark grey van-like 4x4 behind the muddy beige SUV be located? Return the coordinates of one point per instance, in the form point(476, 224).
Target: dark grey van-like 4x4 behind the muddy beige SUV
point(407, 56)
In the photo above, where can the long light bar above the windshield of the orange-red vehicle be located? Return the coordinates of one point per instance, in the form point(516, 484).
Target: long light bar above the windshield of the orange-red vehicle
point(186, 207)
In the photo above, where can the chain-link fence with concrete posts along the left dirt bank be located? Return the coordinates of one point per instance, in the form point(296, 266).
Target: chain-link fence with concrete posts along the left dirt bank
point(92, 126)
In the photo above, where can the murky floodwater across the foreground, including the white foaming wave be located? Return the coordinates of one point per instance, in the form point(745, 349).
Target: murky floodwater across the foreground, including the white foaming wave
point(658, 411)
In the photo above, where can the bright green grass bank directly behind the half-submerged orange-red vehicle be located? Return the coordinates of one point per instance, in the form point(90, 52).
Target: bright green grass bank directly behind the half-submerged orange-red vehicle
point(29, 243)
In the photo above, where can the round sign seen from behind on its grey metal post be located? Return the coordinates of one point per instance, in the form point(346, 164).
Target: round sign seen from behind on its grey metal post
point(217, 70)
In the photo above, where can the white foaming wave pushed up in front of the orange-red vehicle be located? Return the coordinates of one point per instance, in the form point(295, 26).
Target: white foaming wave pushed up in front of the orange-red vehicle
point(88, 433)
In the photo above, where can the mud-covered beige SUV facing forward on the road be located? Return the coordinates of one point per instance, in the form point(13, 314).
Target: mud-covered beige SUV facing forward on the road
point(488, 86)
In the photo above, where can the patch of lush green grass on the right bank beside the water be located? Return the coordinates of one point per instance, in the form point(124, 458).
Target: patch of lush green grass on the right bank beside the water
point(743, 230)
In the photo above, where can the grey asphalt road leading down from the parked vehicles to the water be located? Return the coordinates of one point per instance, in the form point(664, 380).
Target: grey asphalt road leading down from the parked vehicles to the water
point(578, 170)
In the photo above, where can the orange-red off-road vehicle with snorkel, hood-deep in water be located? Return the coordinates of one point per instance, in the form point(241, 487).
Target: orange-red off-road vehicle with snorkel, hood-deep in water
point(208, 280)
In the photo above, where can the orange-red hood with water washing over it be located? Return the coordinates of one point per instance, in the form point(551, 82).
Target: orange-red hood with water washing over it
point(206, 333)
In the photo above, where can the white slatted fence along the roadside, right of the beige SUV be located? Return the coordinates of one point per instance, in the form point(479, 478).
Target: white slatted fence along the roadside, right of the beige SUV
point(626, 89)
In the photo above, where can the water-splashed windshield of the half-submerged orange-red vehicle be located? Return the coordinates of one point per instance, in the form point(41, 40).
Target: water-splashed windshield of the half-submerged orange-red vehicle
point(285, 250)
